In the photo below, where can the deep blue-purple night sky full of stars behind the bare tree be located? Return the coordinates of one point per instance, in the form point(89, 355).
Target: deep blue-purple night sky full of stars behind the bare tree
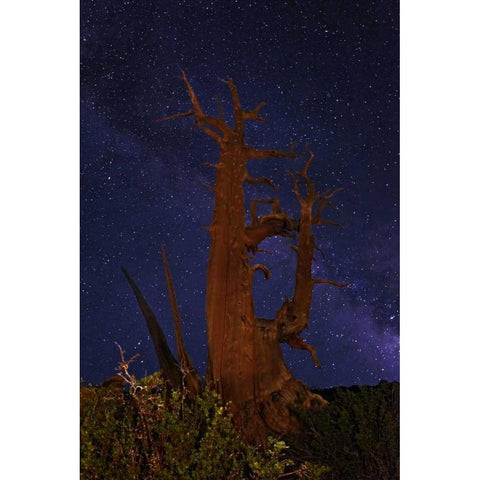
point(329, 73)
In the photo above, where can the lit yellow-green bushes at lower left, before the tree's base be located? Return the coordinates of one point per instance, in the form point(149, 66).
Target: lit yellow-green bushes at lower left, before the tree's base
point(146, 433)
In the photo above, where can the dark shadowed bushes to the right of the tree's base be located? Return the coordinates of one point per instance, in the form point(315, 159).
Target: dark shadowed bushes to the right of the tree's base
point(357, 434)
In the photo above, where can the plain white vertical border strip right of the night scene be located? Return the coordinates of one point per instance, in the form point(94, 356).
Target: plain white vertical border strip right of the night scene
point(439, 239)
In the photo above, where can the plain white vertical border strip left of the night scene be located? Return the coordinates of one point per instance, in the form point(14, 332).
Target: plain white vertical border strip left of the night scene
point(40, 239)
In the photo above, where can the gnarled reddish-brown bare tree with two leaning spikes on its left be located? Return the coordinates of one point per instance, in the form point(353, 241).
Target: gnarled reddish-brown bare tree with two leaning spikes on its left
point(245, 361)
